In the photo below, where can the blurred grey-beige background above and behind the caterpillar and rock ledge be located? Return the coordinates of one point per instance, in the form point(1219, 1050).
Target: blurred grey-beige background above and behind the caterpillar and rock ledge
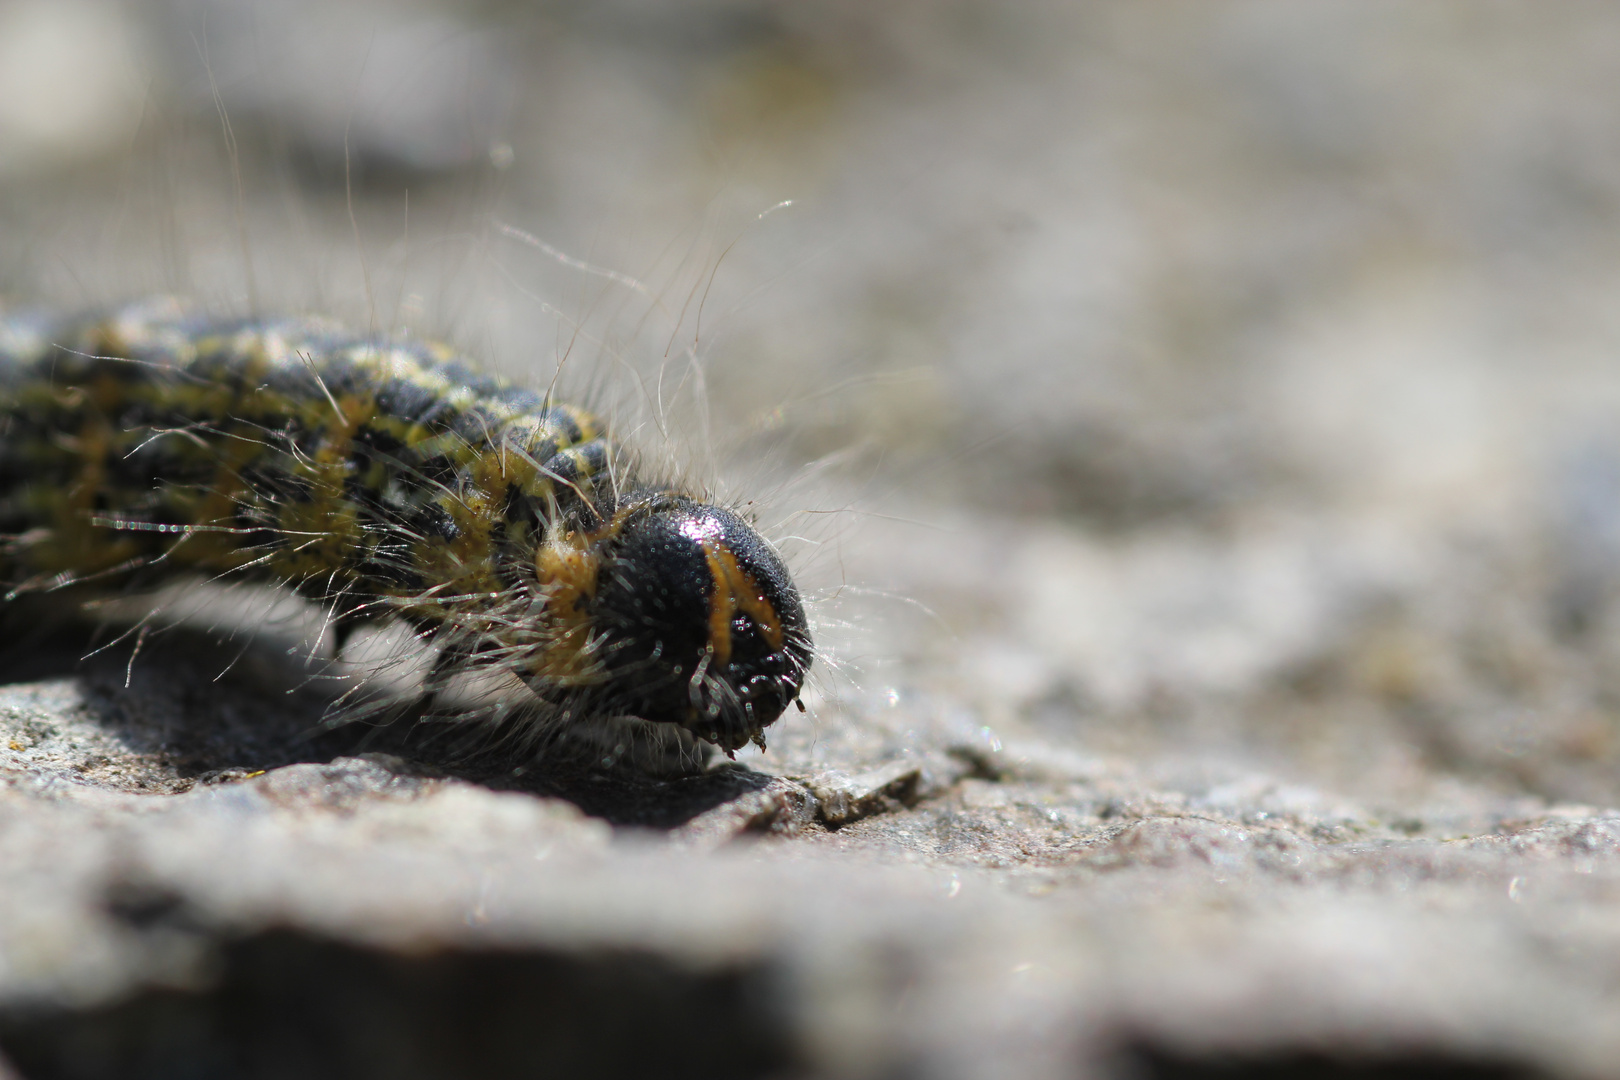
point(1222, 385)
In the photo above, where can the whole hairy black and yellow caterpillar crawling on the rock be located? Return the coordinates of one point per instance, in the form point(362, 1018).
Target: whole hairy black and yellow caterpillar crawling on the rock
point(391, 482)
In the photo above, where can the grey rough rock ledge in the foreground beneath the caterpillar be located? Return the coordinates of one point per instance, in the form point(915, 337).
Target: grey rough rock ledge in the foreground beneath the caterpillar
point(890, 895)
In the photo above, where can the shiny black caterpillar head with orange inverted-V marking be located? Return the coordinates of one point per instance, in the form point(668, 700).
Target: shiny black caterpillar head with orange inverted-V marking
point(699, 624)
